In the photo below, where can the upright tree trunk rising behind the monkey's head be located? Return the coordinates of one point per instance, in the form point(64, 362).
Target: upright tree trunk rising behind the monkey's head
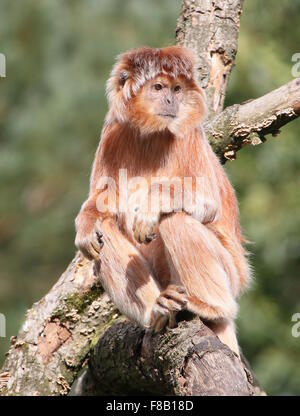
point(211, 28)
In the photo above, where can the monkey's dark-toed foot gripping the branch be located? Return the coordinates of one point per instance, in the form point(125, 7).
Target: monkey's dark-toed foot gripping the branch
point(168, 304)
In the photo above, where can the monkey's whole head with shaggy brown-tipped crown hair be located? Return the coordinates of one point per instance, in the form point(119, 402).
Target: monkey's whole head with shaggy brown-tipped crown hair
point(156, 90)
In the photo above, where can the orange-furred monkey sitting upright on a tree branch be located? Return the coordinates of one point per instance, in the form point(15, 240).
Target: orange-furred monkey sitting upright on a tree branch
point(154, 258)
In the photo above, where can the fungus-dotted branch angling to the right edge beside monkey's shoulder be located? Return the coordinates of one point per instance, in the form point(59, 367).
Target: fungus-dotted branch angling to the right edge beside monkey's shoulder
point(251, 121)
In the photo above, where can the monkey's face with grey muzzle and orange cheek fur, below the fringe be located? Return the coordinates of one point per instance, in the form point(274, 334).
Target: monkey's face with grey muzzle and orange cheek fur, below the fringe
point(166, 103)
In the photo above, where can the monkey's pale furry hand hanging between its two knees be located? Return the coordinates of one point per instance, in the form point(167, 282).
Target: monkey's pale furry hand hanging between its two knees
point(144, 224)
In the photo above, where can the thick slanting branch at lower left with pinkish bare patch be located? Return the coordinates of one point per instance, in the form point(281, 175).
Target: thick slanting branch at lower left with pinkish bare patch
point(57, 335)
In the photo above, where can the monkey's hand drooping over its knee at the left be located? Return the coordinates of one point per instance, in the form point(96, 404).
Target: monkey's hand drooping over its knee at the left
point(90, 243)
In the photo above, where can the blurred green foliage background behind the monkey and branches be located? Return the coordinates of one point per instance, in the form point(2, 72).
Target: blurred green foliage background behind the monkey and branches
point(52, 105)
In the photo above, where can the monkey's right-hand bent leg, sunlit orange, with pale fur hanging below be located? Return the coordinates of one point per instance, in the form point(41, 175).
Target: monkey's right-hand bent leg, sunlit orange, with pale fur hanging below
point(200, 263)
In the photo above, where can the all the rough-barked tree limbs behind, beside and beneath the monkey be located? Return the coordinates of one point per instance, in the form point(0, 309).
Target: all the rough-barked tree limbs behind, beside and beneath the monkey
point(76, 319)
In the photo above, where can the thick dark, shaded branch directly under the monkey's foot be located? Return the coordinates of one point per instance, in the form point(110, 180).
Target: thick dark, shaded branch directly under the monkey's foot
point(188, 360)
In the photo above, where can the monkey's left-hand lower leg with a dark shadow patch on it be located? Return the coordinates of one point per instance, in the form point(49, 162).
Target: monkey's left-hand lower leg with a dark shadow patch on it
point(126, 275)
